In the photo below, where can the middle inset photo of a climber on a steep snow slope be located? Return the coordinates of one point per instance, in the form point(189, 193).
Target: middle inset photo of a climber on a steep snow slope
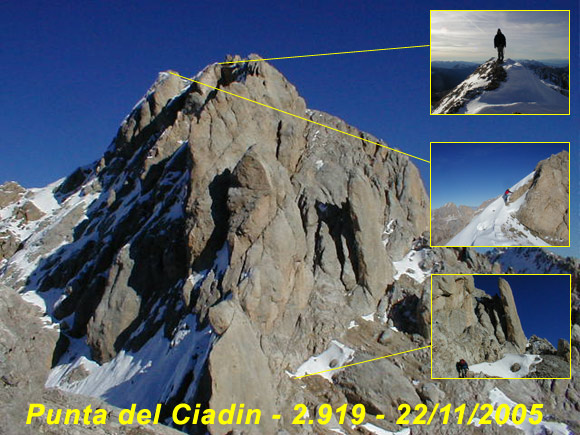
point(500, 194)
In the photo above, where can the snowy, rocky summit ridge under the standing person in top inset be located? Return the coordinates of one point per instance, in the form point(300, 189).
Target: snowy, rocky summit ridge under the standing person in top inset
point(504, 88)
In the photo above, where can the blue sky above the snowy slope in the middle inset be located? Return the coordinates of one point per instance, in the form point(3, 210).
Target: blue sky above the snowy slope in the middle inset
point(471, 173)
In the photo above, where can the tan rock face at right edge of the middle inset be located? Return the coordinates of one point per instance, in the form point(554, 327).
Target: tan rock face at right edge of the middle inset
point(545, 210)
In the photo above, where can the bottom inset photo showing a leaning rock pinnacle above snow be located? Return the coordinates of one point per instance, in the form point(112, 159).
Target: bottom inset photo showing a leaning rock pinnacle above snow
point(500, 326)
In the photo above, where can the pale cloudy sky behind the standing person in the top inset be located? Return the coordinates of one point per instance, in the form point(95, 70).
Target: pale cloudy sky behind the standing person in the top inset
point(468, 35)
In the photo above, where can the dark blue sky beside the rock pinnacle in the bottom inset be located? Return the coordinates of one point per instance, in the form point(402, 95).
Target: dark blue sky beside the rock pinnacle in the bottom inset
point(542, 301)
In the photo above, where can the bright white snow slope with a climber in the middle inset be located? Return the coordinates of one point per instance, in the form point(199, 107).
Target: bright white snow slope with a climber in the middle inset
point(497, 225)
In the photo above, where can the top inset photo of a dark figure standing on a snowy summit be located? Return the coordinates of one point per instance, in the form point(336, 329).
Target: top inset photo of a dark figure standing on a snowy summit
point(500, 62)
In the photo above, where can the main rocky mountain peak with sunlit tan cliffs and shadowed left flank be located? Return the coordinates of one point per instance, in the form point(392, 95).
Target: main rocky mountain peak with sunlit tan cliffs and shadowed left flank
point(270, 236)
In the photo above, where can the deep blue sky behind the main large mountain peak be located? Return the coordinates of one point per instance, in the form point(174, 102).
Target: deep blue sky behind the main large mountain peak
point(71, 71)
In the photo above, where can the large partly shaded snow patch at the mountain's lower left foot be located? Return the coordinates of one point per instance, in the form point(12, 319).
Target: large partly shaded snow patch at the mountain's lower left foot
point(155, 372)
